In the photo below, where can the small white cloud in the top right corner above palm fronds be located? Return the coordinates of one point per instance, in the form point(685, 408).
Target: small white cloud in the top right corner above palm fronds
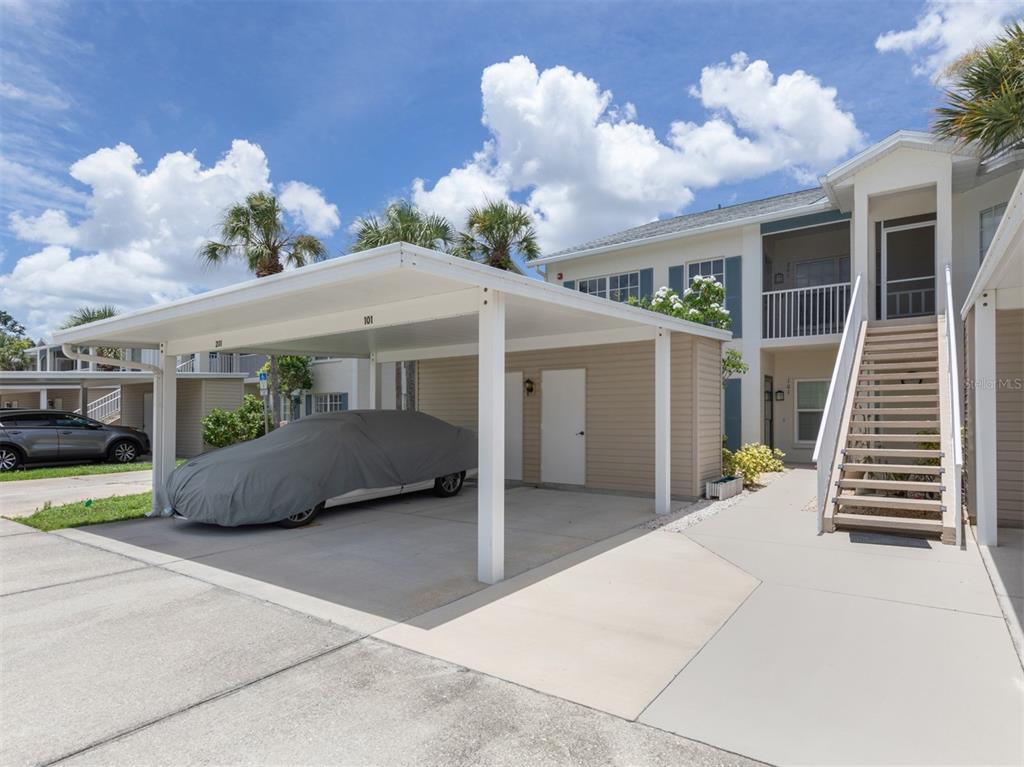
point(949, 29)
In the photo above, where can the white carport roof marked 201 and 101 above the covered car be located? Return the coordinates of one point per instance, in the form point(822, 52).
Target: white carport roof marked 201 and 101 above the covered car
point(396, 302)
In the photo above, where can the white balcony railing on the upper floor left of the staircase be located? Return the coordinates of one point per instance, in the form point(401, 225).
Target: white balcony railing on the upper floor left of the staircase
point(800, 313)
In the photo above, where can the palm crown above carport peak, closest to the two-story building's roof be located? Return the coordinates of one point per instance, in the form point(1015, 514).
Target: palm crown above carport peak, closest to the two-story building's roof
point(496, 233)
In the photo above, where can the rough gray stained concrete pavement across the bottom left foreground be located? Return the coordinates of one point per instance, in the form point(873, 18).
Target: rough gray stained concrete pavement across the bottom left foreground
point(110, 660)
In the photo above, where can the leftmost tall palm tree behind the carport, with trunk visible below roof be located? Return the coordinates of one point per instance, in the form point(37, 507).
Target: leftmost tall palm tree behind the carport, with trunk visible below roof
point(255, 232)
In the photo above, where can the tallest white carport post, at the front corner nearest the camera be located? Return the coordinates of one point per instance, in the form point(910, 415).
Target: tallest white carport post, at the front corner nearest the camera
point(491, 429)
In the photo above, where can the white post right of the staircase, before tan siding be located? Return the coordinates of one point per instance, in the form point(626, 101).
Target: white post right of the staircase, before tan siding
point(985, 386)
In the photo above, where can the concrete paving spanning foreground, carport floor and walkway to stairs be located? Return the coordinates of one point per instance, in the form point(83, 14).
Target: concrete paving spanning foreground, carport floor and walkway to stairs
point(366, 640)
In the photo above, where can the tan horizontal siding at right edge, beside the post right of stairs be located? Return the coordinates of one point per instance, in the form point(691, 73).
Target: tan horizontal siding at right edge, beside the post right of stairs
point(1010, 416)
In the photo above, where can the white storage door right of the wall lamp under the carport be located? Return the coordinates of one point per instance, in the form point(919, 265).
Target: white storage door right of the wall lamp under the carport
point(564, 422)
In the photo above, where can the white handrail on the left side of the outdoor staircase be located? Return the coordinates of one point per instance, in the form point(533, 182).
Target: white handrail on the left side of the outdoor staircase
point(828, 443)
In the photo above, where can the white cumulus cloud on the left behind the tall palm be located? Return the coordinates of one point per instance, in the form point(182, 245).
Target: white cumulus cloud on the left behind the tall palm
point(137, 243)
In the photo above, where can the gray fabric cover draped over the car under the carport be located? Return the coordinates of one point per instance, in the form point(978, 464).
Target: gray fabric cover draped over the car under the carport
point(312, 460)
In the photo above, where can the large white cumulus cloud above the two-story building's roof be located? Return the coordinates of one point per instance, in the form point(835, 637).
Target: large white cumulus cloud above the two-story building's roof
point(587, 166)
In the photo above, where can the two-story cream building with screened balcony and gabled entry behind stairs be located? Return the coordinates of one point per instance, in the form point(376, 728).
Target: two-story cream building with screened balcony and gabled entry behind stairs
point(895, 216)
